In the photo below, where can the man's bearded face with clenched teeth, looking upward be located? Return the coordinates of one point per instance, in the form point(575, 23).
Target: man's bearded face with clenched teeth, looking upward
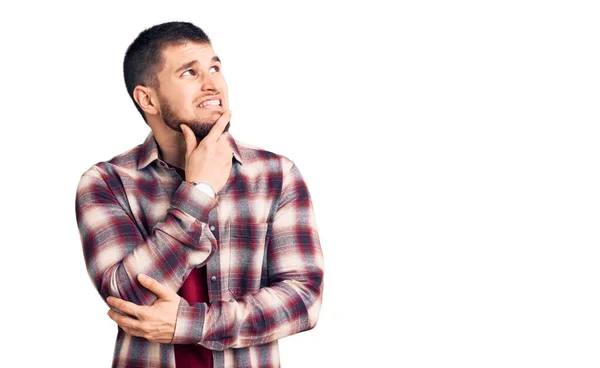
point(192, 89)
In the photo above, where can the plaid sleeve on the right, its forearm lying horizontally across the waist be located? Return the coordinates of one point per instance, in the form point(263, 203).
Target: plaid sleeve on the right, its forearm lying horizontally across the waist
point(291, 302)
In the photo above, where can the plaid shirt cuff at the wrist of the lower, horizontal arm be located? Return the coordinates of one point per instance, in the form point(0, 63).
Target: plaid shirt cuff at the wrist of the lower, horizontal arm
point(190, 323)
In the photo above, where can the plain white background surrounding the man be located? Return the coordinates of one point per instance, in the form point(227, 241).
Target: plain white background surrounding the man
point(451, 149)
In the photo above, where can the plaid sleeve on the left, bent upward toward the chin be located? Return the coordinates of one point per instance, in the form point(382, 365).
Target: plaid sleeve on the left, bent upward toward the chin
point(116, 251)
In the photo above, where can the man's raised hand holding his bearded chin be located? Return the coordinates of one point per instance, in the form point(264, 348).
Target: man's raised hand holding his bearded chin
point(210, 160)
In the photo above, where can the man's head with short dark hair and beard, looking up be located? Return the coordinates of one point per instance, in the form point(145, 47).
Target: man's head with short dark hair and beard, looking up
point(173, 76)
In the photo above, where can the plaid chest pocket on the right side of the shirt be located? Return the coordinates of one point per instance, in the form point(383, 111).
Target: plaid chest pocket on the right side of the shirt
point(247, 243)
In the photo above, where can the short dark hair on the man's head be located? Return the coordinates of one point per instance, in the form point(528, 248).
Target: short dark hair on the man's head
point(143, 59)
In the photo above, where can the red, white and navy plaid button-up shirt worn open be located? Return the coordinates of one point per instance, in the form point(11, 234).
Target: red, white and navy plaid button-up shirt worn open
point(259, 242)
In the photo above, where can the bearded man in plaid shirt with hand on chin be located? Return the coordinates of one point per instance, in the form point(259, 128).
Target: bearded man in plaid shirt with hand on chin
point(205, 248)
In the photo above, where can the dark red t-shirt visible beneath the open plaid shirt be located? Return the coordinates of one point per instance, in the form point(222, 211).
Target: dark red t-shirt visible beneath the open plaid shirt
point(193, 290)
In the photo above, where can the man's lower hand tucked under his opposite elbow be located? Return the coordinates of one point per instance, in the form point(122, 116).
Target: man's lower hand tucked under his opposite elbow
point(155, 323)
